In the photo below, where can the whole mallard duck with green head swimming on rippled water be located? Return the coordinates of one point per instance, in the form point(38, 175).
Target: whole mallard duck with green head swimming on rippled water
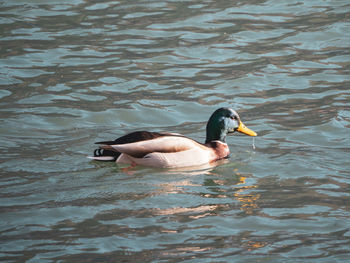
point(173, 150)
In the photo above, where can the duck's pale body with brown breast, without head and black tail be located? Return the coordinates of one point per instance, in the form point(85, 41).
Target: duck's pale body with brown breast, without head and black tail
point(169, 152)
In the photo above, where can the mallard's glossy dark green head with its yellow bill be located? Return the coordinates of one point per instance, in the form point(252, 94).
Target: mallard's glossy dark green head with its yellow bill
point(224, 121)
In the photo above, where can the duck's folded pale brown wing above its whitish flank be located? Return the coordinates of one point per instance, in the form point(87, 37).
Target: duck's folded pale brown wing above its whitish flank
point(169, 143)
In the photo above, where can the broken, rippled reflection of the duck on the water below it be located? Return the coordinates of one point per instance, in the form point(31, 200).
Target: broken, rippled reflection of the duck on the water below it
point(216, 186)
